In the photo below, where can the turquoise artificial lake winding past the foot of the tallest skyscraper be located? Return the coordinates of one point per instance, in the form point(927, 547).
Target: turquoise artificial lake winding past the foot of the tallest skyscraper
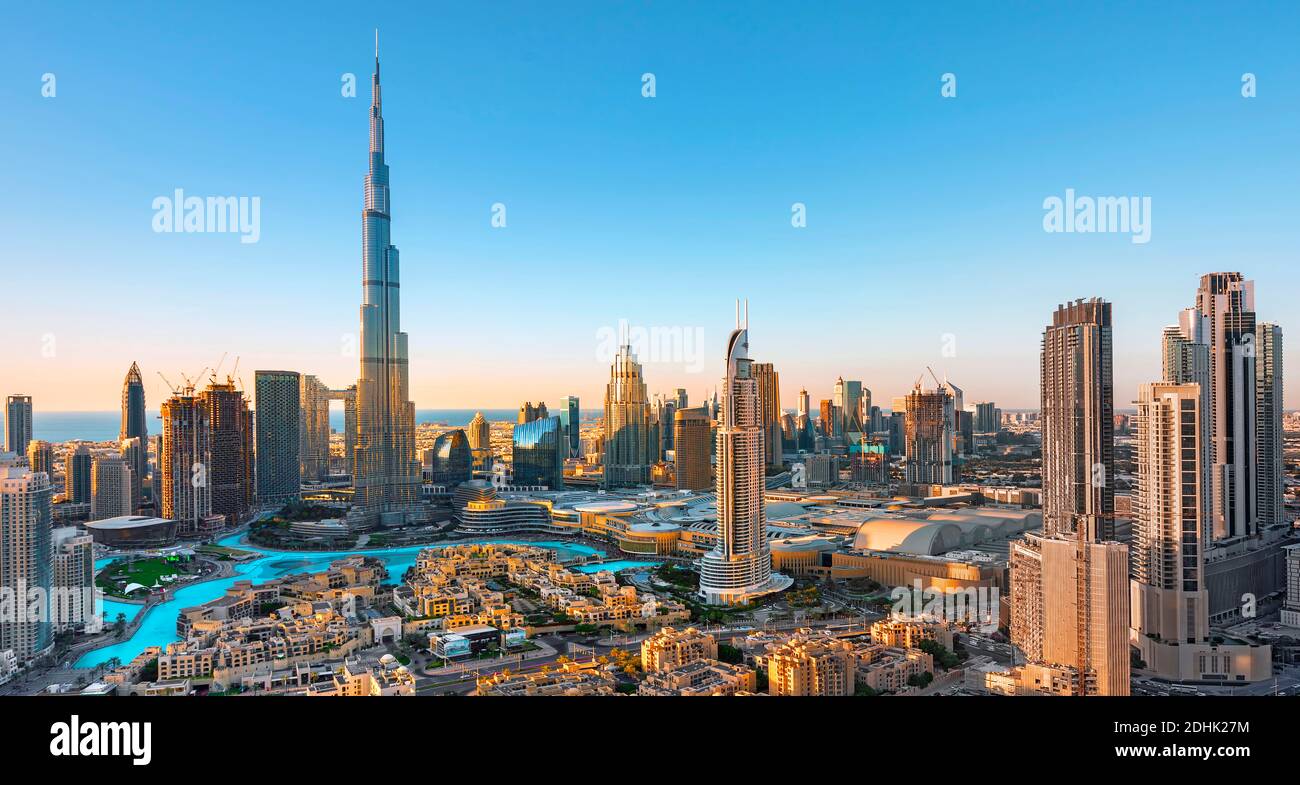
point(158, 628)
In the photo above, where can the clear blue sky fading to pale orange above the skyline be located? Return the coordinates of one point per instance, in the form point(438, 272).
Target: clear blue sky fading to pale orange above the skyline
point(924, 214)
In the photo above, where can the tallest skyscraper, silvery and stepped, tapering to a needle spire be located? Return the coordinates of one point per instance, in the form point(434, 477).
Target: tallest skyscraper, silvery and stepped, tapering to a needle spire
point(387, 472)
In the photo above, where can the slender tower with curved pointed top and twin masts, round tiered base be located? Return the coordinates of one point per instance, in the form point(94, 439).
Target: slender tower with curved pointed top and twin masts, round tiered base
point(740, 566)
